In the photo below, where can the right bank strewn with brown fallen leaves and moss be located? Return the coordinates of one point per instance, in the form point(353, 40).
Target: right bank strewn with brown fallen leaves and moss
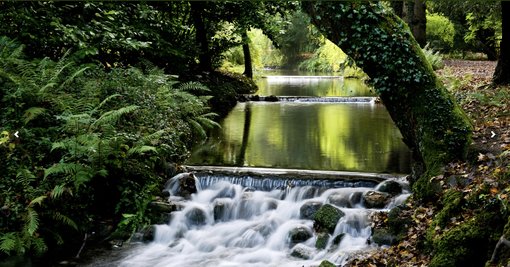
point(470, 215)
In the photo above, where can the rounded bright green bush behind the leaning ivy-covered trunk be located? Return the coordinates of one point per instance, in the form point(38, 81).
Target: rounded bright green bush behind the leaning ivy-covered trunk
point(440, 32)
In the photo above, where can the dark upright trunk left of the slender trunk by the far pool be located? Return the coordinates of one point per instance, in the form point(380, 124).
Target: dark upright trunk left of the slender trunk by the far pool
point(204, 56)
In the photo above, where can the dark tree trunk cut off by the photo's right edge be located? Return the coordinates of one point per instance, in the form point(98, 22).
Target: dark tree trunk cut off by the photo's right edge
point(502, 72)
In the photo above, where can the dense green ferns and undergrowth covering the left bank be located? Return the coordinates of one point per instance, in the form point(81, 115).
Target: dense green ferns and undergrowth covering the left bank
point(82, 145)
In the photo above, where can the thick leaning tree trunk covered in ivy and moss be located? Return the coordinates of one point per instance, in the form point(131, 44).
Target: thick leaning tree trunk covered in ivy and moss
point(433, 126)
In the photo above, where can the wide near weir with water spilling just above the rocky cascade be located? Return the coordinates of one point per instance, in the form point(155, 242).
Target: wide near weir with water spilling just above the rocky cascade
point(269, 178)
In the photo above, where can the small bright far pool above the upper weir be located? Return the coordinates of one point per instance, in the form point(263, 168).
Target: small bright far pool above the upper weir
point(311, 86)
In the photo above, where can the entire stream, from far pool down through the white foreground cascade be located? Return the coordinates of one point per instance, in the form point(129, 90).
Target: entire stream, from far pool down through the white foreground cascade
point(265, 217)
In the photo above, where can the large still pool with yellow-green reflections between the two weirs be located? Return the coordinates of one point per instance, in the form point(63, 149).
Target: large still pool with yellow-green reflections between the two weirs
point(326, 136)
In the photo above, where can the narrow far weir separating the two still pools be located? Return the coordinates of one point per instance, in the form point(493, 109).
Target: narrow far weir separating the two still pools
point(313, 99)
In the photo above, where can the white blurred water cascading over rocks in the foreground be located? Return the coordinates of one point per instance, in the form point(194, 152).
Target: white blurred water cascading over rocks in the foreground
point(226, 224)
